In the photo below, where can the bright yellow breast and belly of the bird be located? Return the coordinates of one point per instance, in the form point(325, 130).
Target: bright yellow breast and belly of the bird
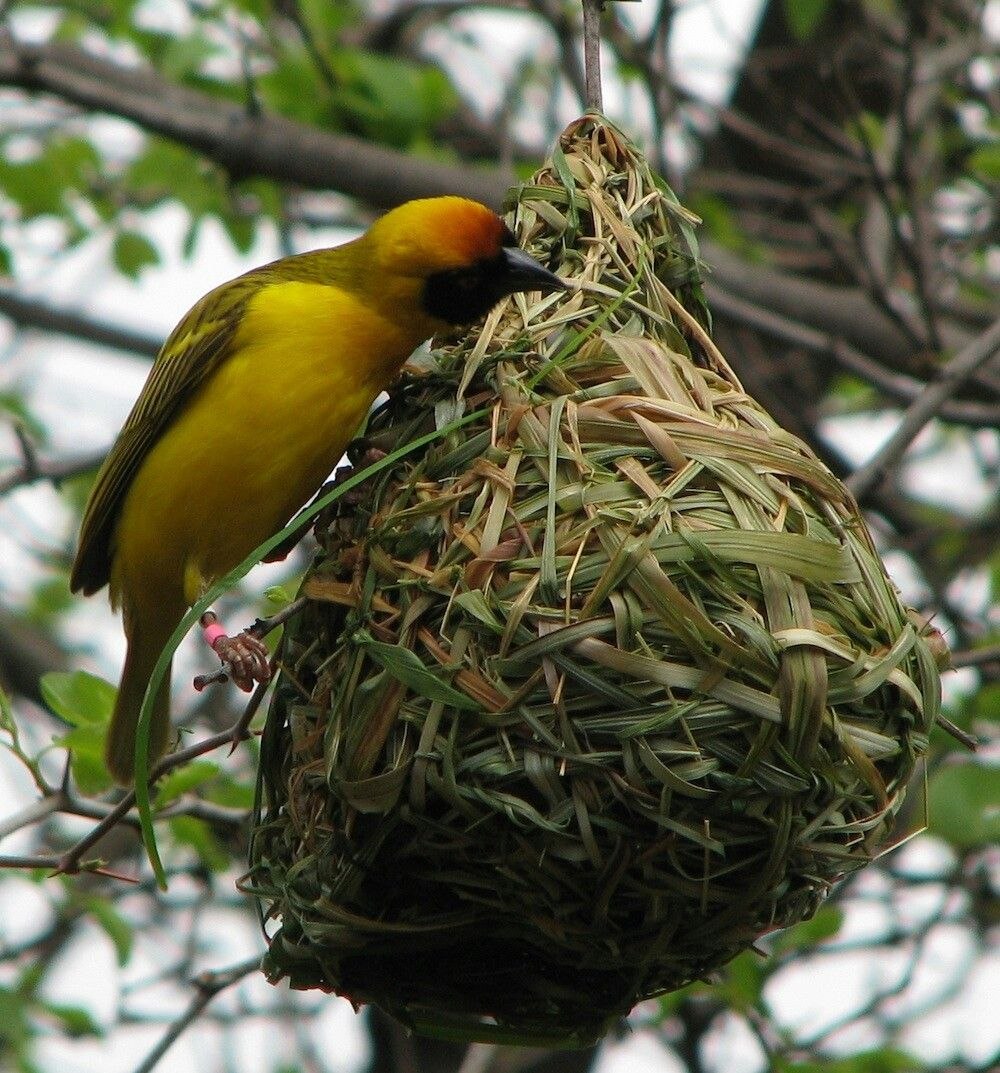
point(257, 442)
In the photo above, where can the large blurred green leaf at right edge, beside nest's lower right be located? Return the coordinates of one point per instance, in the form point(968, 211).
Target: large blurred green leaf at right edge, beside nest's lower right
point(965, 804)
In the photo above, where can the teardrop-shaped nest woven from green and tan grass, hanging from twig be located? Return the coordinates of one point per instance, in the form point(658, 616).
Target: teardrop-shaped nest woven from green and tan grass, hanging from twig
point(595, 690)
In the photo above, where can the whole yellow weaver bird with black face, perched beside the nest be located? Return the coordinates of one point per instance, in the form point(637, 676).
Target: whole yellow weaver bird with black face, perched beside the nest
point(251, 405)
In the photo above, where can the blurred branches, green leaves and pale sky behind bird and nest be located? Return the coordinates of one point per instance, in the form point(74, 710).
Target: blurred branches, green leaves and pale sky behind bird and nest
point(845, 158)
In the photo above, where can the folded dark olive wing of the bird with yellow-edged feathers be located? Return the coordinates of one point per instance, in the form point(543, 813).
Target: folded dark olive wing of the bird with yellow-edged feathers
point(196, 348)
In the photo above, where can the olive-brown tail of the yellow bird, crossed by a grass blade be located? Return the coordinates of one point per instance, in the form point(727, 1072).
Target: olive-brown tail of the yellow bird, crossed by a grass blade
point(146, 641)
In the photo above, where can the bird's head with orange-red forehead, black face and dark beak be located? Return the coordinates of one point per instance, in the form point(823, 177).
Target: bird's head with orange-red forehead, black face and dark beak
point(463, 256)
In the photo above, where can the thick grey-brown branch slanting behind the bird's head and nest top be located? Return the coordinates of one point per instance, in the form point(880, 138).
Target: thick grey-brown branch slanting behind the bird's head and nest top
point(278, 149)
